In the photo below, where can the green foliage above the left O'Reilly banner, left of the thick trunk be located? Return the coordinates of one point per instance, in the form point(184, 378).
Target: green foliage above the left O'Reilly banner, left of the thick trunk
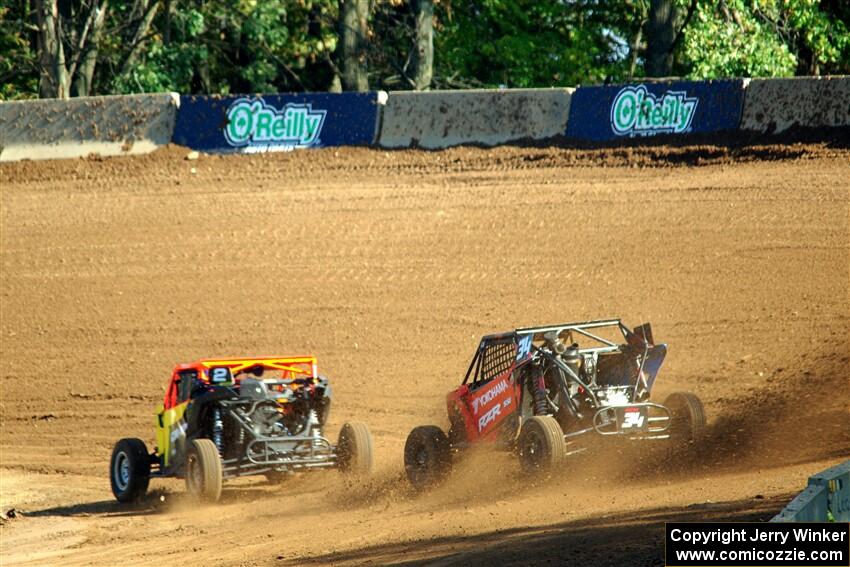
point(248, 46)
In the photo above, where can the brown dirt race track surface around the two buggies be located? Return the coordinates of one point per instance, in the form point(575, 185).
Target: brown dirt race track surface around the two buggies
point(389, 266)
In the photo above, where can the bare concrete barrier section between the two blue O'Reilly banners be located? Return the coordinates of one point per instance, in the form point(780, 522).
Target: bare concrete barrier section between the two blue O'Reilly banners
point(440, 119)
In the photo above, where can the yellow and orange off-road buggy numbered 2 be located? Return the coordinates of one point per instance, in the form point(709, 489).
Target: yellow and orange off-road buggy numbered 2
point(228, 418)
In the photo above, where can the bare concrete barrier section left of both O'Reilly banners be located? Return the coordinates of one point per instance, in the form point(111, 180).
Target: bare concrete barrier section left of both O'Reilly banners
point(110, 125)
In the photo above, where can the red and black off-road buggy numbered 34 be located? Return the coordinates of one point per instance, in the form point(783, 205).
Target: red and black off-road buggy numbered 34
point(539, 390)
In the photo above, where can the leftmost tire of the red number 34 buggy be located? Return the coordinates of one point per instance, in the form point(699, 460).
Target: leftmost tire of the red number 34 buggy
point(427, 456)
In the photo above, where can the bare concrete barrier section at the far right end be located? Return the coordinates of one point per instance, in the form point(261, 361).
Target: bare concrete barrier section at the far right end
point(775, 105)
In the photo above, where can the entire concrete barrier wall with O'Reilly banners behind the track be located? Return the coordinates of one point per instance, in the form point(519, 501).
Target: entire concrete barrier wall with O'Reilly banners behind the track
point(116, 125)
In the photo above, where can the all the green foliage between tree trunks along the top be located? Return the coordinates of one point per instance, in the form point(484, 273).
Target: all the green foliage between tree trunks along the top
point(246, 46)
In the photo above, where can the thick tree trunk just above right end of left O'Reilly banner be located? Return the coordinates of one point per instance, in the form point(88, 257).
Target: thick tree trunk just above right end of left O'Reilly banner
point(353, 38)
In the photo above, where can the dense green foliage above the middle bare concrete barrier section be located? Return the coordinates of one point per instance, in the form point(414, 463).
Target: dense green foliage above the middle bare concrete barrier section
point(525, 43)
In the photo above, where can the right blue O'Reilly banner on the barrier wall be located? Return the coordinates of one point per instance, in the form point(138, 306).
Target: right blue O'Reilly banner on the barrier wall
point(607, 113)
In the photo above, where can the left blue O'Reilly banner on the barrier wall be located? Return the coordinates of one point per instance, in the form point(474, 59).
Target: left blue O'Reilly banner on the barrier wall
point(276, 122)
